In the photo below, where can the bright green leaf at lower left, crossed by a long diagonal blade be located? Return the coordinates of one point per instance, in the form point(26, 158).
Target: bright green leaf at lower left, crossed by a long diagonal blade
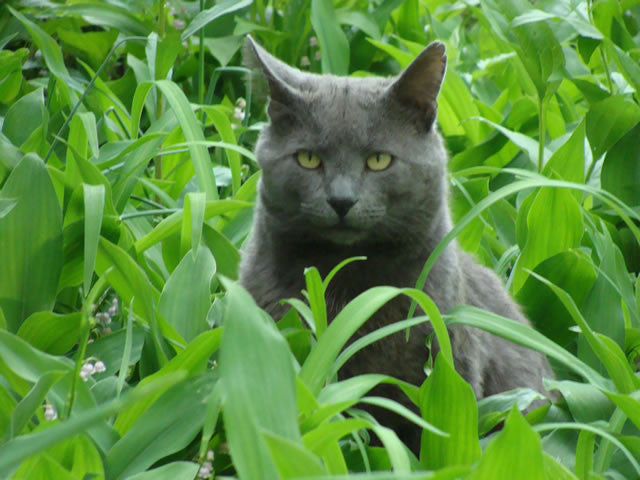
point(192, 360)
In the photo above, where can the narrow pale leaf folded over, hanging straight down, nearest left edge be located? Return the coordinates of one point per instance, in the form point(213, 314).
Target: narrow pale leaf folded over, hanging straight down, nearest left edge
point(93, 211)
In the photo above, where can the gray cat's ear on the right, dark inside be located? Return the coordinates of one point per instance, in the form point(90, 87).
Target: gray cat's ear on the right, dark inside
point(419, 84)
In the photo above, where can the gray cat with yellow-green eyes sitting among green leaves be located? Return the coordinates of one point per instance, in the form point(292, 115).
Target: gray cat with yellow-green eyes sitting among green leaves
point(356, 166)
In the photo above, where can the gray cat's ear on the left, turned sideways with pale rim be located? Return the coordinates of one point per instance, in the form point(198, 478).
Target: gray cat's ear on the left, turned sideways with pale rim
point(281, 78)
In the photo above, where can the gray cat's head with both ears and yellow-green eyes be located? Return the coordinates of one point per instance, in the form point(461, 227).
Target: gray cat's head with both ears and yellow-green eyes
point(352, 160)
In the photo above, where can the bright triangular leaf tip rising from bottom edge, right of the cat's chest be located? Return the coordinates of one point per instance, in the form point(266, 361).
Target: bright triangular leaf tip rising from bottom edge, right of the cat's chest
point(515, 453)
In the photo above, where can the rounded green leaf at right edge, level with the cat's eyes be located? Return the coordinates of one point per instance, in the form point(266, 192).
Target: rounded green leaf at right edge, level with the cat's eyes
point(608, 121)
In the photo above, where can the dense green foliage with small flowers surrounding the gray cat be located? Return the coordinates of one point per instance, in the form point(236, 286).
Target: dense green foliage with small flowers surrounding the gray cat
point(128, 351)
